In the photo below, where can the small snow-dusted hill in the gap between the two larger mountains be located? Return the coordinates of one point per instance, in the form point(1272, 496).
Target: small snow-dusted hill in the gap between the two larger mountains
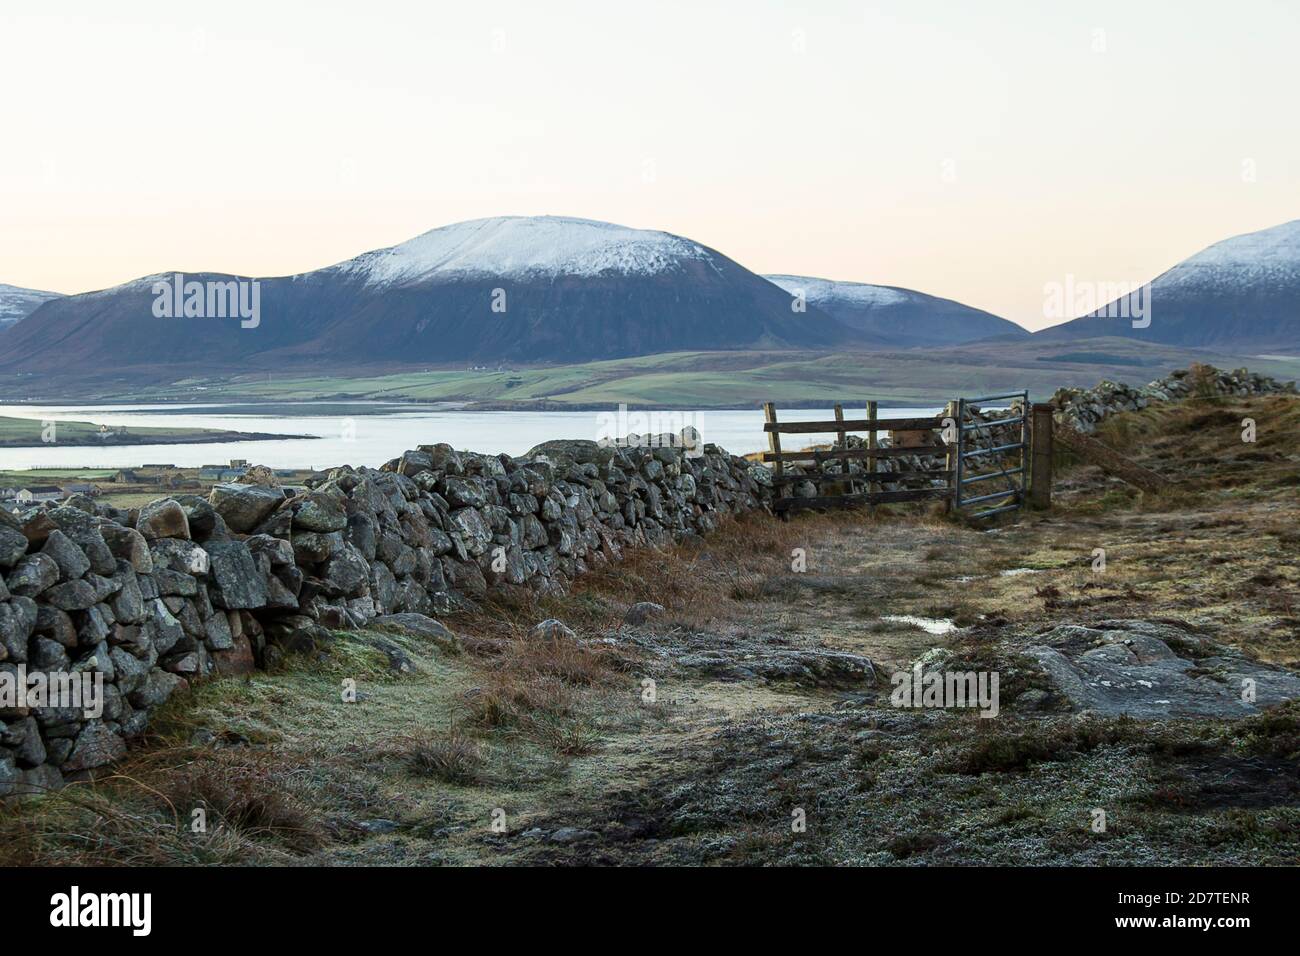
point(900, 318)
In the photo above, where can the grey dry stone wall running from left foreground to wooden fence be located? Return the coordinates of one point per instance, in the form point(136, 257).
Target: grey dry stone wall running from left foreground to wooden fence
point(188, 587)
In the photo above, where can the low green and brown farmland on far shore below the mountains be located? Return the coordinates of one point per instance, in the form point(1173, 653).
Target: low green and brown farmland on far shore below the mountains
point(718, 380)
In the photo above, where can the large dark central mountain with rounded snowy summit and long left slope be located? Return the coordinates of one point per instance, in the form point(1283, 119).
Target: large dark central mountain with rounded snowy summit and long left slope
point(519, 289)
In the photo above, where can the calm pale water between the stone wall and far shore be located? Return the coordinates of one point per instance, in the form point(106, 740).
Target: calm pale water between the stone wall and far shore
point(371, 434)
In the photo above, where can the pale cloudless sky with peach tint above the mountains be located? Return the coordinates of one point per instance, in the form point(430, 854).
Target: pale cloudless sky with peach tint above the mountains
point(969, 150)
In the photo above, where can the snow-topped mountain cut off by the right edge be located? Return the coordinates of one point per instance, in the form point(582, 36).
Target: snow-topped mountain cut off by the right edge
point(1241, 293)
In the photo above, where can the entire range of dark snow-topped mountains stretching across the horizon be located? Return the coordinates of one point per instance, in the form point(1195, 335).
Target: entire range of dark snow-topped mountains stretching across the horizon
point(562, 291)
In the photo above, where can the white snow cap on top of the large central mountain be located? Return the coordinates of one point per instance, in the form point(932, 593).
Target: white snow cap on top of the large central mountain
point(527, 248)
